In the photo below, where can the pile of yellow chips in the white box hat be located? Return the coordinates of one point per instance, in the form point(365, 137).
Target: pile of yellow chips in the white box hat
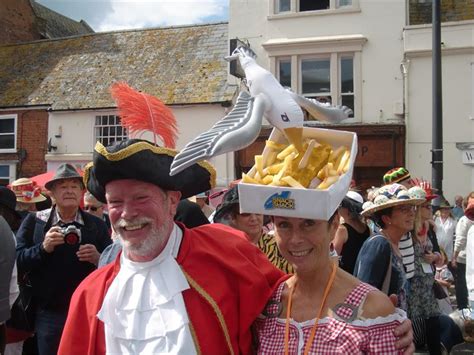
point(317, 166)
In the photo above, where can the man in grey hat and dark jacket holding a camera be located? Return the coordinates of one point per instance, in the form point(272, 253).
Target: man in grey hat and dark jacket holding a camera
point(57, 249)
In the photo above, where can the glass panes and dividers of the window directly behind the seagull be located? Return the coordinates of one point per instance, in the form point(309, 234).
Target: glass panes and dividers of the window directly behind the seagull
point(326, 78)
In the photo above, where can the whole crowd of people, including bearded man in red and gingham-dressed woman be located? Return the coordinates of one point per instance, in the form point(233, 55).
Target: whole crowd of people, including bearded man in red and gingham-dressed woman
point(123, 262)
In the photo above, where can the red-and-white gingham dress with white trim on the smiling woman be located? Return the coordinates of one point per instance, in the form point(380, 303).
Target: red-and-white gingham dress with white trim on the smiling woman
point(339, 335)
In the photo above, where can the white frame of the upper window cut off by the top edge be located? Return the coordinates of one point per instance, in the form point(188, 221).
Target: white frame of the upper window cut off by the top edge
point(334, 7)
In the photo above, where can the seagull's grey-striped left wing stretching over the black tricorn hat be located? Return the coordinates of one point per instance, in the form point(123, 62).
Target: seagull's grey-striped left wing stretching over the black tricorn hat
point(238, 129)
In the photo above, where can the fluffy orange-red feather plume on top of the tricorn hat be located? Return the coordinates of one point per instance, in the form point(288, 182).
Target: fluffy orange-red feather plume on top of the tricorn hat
point(142, 112)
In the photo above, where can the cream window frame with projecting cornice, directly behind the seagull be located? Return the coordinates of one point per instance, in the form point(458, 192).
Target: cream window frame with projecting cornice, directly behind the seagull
point(334, 47)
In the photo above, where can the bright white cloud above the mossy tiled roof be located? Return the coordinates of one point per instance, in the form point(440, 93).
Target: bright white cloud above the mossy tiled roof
point(154, 13)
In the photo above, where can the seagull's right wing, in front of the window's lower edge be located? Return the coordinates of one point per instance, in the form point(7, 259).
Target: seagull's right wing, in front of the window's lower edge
point(322, 112)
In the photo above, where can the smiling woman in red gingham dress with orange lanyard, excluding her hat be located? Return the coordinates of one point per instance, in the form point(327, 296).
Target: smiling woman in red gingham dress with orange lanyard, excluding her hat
point(321, 308)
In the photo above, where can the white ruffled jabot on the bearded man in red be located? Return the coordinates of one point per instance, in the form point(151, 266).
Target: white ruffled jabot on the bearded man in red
point(143, 310)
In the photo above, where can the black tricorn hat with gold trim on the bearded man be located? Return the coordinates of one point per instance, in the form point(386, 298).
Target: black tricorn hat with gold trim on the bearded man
point(142, 160)
